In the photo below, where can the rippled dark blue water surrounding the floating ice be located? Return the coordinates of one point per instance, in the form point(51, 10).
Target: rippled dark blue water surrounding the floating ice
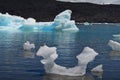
point(16, 64)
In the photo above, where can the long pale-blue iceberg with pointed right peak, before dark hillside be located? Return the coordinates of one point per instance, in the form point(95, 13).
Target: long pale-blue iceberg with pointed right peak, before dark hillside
point(61, 22)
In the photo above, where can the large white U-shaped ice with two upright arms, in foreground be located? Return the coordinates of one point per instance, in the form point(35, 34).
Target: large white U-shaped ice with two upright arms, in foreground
point(50, 54)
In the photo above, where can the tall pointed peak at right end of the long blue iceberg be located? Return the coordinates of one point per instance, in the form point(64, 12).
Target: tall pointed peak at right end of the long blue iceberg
point(63, 22)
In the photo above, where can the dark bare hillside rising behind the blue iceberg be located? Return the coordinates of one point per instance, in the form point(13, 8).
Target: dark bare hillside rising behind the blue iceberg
point(46, 10)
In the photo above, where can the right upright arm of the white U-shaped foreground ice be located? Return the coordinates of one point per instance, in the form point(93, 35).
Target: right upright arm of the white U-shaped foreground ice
point(85, 57)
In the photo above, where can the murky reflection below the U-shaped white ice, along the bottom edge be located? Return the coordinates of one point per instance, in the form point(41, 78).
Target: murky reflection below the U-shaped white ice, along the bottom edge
point(61, 77)
